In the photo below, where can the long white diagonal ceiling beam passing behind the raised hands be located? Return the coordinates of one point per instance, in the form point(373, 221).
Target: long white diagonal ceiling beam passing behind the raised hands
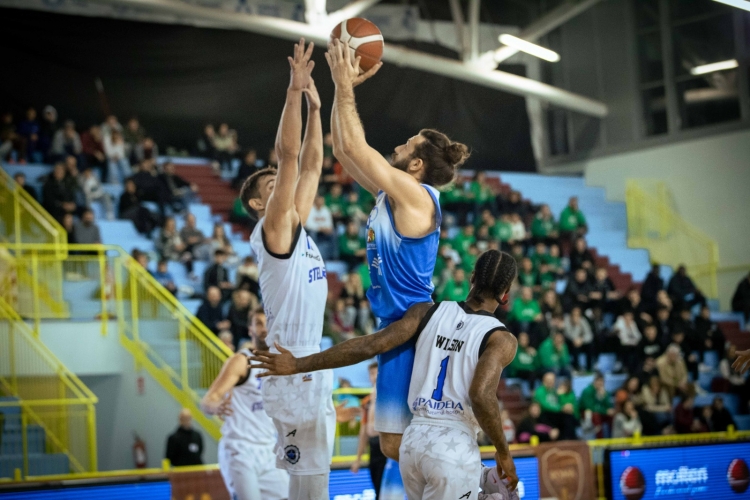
point(451, 68)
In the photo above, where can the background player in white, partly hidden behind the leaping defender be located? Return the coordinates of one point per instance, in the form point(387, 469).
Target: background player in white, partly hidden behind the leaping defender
point(247, 449)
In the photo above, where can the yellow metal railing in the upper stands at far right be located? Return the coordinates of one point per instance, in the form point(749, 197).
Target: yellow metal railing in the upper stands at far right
point(655, 225)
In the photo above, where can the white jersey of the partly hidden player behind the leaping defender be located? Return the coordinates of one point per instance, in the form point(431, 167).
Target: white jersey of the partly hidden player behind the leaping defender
point(249, 421)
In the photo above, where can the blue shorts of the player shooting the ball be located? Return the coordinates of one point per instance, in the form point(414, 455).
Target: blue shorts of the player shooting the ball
point(392, 413)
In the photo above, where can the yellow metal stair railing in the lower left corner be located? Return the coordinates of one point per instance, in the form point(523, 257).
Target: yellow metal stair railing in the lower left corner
point(46, 407)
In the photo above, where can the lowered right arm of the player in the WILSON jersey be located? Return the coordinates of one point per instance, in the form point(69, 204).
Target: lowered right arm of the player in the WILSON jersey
point(500, 351)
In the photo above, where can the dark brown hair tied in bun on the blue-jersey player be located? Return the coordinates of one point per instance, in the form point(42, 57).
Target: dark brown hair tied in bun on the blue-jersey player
point(442, 157)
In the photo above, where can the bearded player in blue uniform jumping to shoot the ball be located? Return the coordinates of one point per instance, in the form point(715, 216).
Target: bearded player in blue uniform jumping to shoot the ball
point(402, 231)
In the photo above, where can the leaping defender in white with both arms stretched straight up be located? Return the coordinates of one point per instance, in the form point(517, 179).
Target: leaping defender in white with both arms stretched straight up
point(294, 287)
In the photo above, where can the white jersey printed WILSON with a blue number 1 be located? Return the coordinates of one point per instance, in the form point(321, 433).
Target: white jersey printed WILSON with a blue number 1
point(447, 353)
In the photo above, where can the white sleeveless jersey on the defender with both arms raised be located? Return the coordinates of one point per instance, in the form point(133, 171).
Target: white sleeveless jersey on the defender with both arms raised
point(294, 289)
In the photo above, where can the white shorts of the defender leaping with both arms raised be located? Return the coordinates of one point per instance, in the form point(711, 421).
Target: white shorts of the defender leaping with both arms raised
point(301, 407)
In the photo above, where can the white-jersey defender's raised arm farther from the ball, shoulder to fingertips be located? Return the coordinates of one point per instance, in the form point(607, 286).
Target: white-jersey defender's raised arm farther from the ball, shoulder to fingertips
point(281, 214)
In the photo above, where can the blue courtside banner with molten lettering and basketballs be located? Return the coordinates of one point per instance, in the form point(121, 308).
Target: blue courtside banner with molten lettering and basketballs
point(715, 472)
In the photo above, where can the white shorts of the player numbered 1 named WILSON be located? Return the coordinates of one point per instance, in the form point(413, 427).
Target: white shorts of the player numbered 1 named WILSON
point(439, 463)
